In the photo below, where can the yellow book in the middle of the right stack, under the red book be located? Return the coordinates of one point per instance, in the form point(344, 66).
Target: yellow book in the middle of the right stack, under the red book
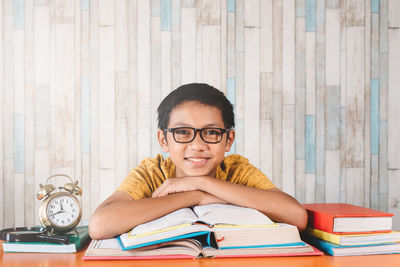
point(355, 239)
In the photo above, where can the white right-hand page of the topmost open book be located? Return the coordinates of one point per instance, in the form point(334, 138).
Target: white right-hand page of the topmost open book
point(221, 214)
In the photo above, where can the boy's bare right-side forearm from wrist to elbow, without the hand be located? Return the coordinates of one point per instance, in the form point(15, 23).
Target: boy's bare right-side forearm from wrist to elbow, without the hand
point(270, 202)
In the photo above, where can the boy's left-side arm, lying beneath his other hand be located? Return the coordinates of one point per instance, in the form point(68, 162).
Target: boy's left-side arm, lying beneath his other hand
point(119, 213)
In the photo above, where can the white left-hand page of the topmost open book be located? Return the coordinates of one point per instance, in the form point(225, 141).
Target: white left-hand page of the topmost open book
point(171, 220)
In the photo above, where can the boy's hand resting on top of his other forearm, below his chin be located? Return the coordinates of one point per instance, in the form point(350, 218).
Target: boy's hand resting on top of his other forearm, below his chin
point(176, 185)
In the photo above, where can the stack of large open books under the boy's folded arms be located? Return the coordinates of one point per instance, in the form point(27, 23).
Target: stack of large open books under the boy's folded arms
point(213, 230)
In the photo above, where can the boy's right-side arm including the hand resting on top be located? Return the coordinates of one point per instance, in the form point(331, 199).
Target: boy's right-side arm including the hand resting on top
point(274, 203)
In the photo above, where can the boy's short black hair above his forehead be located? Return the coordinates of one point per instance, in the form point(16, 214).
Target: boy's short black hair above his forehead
point(200, 92)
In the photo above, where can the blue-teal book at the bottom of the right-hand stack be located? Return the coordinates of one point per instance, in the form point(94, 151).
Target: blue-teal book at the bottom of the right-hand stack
point(353, 250)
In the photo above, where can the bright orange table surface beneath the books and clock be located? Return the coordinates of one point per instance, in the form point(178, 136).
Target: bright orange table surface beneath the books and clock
point(61, 260)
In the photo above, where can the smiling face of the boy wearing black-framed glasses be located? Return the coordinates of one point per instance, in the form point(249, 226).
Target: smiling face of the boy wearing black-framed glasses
point(196, 158)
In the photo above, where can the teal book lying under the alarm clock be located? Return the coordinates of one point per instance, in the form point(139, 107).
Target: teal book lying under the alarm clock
point(76, 242)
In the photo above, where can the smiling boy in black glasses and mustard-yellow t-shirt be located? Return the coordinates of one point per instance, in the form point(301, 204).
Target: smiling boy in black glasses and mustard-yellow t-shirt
point(196, 127)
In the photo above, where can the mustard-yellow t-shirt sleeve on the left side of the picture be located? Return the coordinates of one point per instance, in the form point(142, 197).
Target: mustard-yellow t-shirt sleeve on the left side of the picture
point(136, 184)
